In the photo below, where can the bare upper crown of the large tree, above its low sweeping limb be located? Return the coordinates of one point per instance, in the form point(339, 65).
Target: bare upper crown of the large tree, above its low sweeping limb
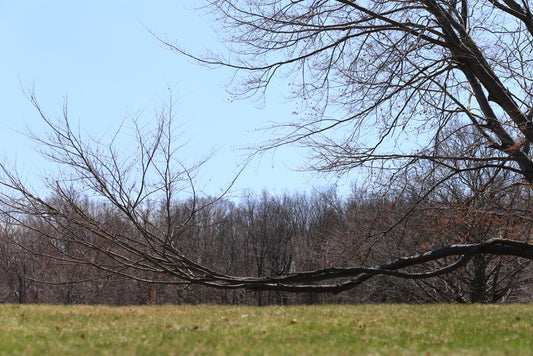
point(383, 85)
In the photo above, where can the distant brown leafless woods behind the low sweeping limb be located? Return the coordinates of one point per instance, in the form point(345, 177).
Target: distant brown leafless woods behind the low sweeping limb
point(270, 235)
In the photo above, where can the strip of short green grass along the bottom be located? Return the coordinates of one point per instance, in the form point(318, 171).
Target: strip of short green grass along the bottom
point(302, 330)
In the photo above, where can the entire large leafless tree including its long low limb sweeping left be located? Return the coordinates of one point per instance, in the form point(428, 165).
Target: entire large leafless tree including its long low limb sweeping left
point(379, 82)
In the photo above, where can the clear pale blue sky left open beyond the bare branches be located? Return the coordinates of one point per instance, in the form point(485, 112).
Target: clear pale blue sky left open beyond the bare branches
point(101, 58)
